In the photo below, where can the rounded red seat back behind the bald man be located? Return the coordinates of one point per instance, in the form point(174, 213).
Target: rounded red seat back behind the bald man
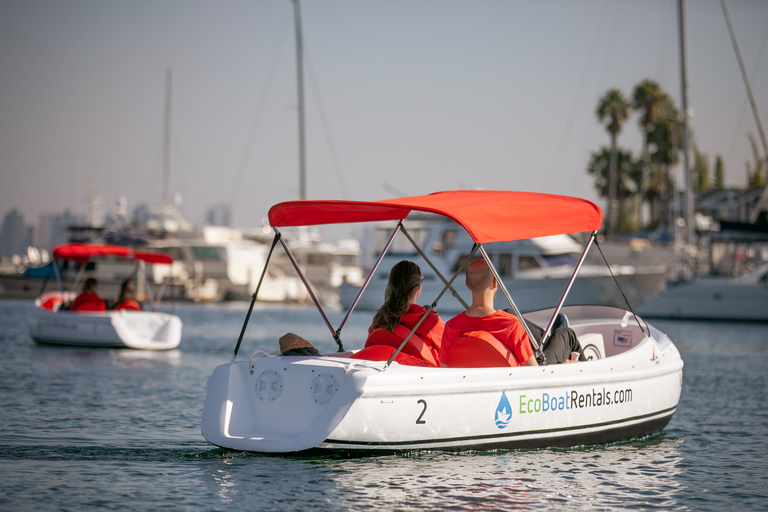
point(479, 349)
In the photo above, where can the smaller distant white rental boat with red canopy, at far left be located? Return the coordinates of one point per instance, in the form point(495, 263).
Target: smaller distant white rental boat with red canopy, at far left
point(49, 323)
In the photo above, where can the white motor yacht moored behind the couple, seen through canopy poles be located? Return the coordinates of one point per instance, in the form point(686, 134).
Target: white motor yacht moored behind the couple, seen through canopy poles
point(537, 269)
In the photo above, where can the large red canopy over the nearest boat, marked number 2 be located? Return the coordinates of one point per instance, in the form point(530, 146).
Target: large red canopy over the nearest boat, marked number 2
point(487, 215)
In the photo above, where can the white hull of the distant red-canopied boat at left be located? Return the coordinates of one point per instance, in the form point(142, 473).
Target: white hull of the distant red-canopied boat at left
point(144, 330)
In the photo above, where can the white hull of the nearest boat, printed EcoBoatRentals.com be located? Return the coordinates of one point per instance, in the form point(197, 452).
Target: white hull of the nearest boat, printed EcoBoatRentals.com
point(333, 404)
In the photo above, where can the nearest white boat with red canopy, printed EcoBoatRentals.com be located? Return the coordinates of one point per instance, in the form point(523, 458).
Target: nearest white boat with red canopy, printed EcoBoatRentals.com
point(630, 387)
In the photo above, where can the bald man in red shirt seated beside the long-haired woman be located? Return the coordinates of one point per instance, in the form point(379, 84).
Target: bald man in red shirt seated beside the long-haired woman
point(506, 327)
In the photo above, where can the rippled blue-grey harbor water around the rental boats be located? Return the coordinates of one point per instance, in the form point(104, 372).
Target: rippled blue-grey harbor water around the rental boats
point(107, 429)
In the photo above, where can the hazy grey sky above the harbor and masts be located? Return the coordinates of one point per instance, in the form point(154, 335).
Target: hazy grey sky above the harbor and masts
point(407, 95)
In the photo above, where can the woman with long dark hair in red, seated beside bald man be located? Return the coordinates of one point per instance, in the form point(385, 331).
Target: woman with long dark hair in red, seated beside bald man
point(397, 317)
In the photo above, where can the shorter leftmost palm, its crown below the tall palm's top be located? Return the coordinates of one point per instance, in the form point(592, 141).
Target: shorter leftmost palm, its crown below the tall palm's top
point(628, 176)
